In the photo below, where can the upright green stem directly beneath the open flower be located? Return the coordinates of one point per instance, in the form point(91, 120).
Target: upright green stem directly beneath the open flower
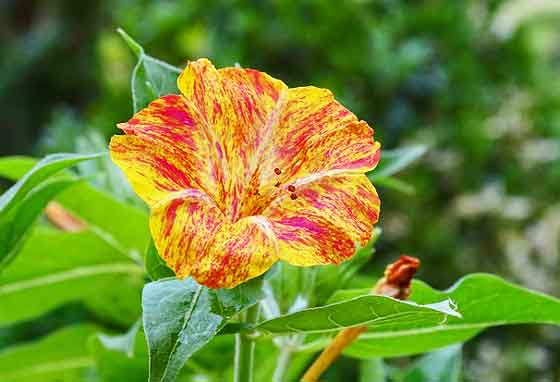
point(245, 349)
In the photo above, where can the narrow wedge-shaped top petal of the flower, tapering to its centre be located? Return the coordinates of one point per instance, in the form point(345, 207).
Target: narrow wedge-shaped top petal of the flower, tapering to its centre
point(237, 105)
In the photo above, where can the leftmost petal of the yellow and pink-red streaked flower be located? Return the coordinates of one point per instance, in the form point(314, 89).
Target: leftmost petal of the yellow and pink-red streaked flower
point(164, 150)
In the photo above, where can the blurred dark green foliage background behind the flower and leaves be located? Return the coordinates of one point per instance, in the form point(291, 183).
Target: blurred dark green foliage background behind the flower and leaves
point(478, 81)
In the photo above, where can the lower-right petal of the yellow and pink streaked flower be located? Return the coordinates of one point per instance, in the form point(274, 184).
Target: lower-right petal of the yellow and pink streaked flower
point(327, 217)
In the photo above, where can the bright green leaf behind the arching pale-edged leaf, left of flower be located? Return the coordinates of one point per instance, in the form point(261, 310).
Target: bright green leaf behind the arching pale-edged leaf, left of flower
point(123, 226)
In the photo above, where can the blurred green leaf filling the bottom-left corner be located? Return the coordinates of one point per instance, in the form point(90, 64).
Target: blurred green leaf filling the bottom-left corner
point(61, 356)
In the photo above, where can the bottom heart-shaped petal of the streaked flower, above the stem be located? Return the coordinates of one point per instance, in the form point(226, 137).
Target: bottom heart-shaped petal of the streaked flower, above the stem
point(194, 239)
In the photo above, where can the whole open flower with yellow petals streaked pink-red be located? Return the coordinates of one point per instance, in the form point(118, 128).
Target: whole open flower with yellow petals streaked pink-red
point(240, 171)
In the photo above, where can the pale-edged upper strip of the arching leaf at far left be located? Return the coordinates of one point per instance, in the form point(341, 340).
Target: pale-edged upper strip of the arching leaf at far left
point(46, 167)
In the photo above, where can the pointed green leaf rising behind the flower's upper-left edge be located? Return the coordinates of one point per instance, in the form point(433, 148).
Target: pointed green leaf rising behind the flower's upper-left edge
point(151, 78)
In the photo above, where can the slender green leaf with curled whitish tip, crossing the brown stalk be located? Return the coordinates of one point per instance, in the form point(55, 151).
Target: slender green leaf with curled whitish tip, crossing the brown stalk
point(379, 312)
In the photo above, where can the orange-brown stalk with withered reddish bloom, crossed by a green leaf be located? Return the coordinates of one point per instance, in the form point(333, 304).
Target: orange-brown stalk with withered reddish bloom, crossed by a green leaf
point(396, 283)
